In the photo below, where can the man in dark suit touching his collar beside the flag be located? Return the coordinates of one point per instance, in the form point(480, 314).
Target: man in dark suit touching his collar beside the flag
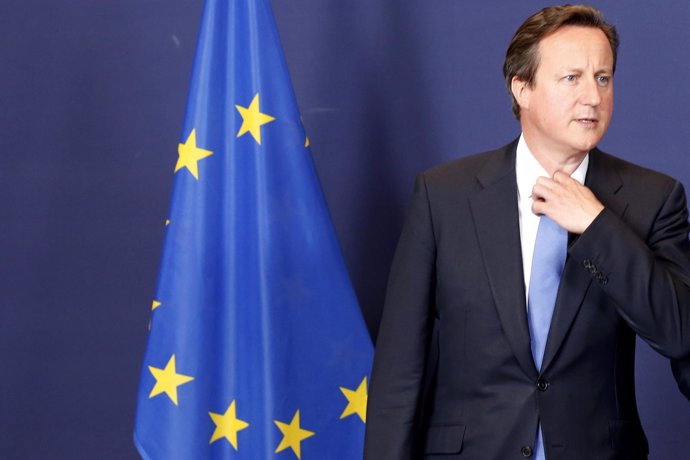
point(514, 375)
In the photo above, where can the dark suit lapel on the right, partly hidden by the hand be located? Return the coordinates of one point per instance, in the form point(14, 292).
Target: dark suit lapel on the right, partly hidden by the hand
point(604, 181)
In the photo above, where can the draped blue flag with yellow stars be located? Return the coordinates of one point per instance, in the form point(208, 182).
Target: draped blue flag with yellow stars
point(257, 347)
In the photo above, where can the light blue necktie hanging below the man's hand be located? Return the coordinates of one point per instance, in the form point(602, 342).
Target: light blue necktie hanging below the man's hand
point(550, 249)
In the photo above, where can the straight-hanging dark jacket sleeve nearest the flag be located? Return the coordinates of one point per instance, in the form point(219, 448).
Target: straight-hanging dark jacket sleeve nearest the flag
point(403, 339)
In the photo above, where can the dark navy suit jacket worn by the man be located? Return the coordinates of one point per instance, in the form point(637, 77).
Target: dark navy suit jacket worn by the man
point(458, 265)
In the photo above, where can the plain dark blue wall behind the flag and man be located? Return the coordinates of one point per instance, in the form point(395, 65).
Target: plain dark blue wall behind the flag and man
point(91, 102)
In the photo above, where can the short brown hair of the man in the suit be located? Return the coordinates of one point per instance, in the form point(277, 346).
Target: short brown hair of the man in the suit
point(522, 57)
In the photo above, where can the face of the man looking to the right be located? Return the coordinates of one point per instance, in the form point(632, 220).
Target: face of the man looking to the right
point(568, 108)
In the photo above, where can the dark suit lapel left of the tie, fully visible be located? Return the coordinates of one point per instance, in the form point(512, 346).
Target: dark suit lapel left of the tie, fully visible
point(495, 215)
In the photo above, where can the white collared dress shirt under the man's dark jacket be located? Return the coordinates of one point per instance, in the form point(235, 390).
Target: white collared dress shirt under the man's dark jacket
point(527, 170)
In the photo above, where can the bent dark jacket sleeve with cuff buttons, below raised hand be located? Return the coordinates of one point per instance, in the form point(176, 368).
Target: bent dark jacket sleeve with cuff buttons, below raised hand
point(647, 277)
